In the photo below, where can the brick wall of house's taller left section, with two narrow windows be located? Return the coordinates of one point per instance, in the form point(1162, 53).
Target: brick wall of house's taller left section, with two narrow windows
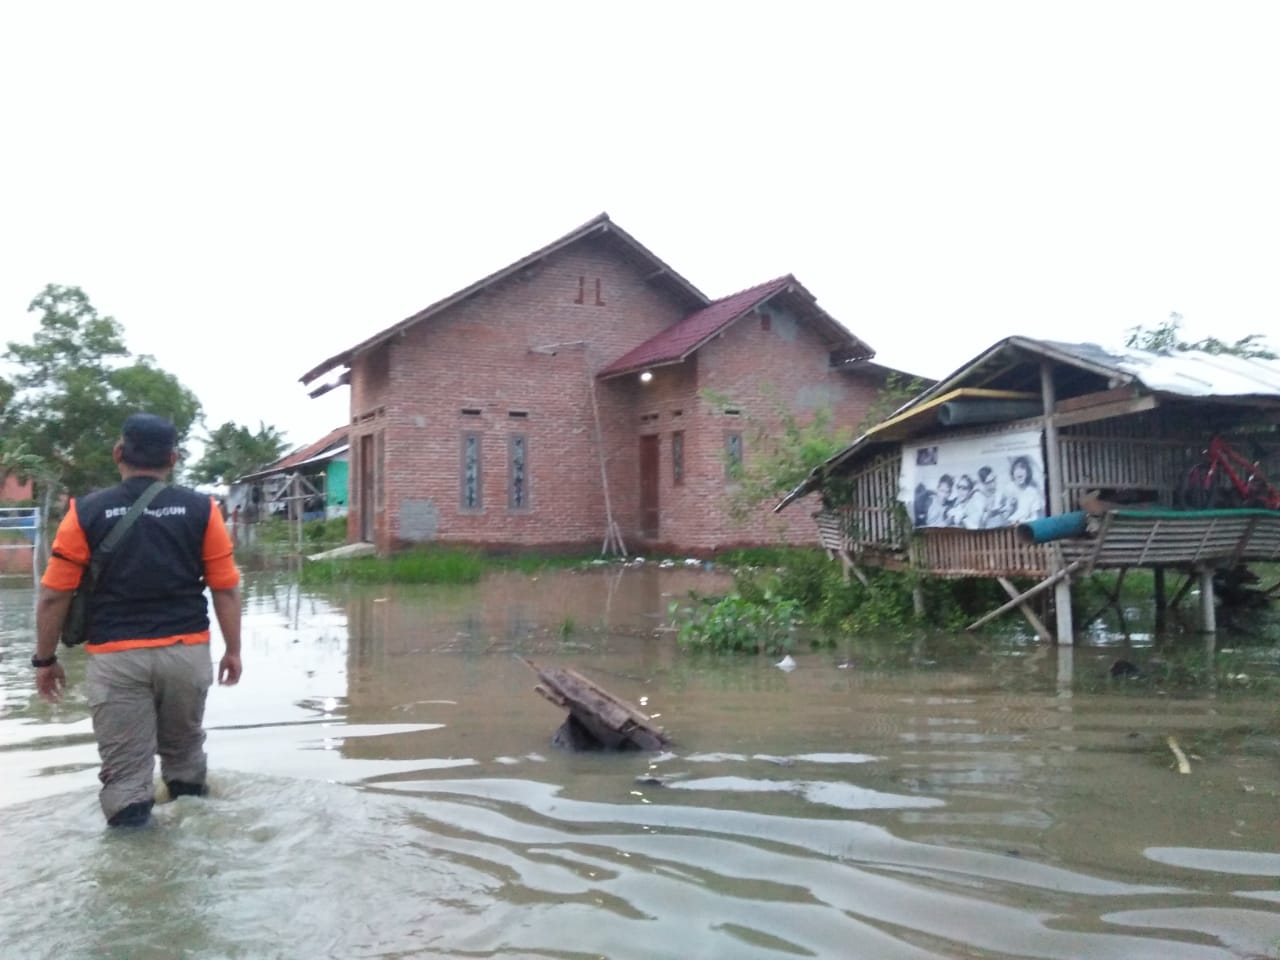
point(483, 362)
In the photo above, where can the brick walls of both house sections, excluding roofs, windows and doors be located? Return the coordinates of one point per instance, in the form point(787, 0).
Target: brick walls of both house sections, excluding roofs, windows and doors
point(519, 359)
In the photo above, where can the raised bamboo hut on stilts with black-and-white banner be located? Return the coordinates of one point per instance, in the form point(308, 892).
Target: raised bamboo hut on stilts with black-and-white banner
point(1045, 461)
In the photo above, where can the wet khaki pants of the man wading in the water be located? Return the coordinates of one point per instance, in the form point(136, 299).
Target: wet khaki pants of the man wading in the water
point(148, 702)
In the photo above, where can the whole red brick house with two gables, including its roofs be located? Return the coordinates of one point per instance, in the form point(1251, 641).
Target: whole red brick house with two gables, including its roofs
point(561, 403)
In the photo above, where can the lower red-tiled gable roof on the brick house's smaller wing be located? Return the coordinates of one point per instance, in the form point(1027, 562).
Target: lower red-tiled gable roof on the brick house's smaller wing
point(680, 341)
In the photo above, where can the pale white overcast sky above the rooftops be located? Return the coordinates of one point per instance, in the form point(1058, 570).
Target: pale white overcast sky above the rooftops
point(250, 188)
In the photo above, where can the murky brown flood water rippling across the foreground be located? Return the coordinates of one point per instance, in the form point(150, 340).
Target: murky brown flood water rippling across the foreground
point(385, 787)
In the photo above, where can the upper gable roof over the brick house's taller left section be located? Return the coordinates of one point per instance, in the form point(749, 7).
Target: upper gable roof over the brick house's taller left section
point(597, 227)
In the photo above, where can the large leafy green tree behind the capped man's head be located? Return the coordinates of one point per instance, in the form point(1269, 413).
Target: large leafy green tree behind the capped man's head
point(72, 390)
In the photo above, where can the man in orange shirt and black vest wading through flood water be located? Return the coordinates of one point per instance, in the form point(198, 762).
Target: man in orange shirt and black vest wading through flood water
point(148, 639)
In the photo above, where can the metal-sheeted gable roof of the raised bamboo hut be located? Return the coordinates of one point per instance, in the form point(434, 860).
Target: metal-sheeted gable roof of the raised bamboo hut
point(1186, 374)
